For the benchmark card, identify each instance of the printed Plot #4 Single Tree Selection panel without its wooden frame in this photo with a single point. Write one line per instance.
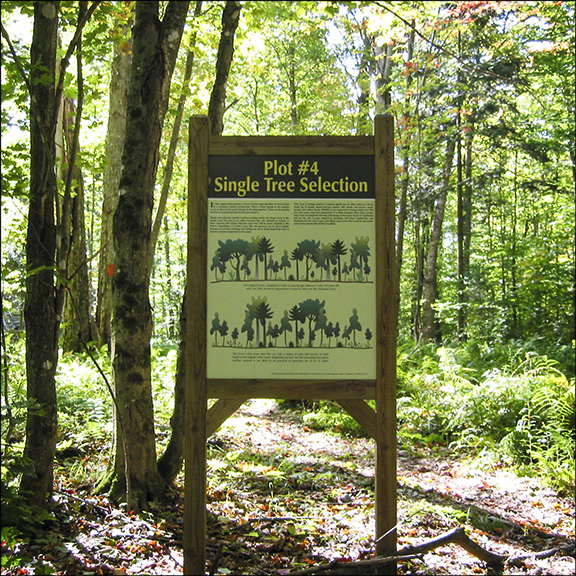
(291, 257)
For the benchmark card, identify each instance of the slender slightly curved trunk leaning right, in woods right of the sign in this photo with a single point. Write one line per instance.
(430, 327)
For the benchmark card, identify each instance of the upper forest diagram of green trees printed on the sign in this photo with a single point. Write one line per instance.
(309, 260)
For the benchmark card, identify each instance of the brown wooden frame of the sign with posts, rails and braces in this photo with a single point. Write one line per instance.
(231, 393)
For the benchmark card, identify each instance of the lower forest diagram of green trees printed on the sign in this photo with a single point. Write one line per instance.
(306, 324)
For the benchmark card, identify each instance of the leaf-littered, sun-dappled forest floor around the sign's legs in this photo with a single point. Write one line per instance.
(283, 497)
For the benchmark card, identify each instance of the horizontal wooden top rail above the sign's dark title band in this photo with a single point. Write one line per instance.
(287, 145)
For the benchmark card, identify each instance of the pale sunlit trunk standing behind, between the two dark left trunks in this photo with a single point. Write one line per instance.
(120, 76)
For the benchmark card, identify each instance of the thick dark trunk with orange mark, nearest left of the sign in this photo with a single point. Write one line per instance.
(155, 47)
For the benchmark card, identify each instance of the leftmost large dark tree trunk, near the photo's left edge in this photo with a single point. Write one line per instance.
(41, 307)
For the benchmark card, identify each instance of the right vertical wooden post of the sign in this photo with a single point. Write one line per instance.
(386, 483)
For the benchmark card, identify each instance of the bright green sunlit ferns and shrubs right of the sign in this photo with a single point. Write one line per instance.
(523, 414)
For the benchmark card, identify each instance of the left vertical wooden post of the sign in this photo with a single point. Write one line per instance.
(196, 388)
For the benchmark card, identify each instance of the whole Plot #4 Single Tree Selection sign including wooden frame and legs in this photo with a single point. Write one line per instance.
(291, 293)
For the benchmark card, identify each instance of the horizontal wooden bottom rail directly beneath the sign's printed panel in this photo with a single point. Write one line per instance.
(292, 389)
